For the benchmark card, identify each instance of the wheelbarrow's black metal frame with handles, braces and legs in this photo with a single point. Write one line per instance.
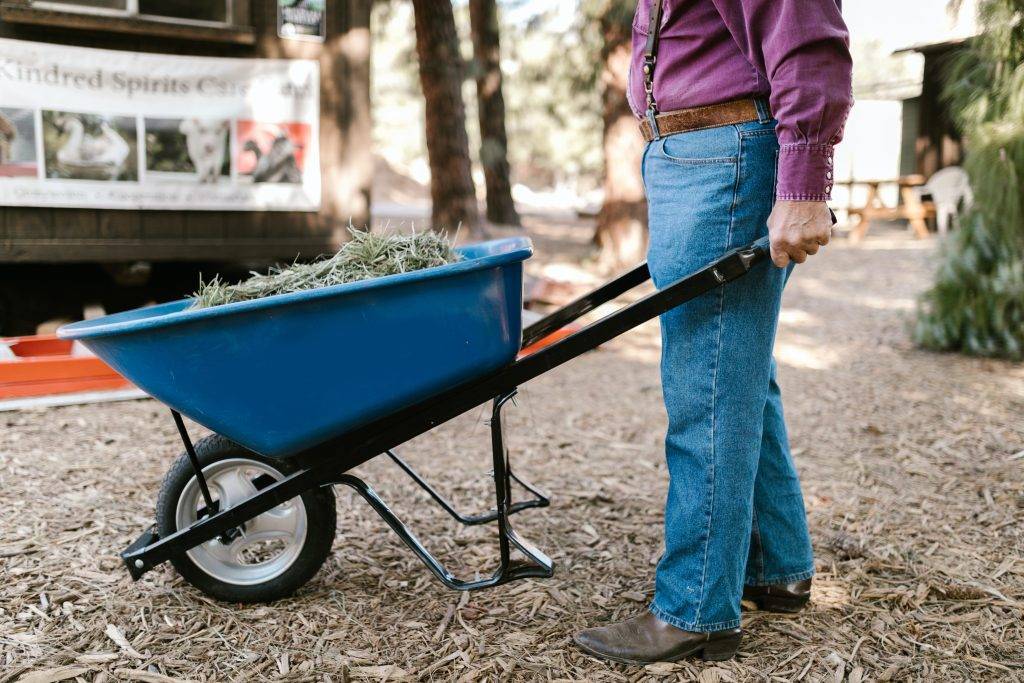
(328, 463)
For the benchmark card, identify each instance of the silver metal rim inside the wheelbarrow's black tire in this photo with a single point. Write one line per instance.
(231, 482)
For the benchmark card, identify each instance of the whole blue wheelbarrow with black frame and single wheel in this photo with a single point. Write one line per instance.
(301, 389)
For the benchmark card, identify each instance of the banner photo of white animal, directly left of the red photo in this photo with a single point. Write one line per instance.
(183, 150)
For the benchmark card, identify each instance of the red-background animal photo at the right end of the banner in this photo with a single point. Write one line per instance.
(272, 152)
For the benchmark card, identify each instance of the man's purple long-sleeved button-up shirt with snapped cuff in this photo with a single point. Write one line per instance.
(794, 53)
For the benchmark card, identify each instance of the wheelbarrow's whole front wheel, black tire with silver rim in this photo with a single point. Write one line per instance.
(269, 558)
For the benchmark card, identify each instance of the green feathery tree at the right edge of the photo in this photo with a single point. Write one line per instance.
(977, 304)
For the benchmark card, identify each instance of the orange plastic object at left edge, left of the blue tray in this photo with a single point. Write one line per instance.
(45, 366)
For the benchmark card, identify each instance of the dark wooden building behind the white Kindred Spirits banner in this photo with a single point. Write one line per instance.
(212, 28)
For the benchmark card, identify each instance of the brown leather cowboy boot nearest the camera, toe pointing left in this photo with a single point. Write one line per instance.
(646, 639)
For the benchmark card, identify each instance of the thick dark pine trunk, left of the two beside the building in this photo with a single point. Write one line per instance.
(448, 146)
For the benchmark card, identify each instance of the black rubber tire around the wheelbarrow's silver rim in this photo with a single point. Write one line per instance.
(321, 526)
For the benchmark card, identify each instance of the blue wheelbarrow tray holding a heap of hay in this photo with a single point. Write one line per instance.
(281, 374)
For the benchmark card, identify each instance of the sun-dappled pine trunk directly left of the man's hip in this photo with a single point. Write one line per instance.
(622, 224)
